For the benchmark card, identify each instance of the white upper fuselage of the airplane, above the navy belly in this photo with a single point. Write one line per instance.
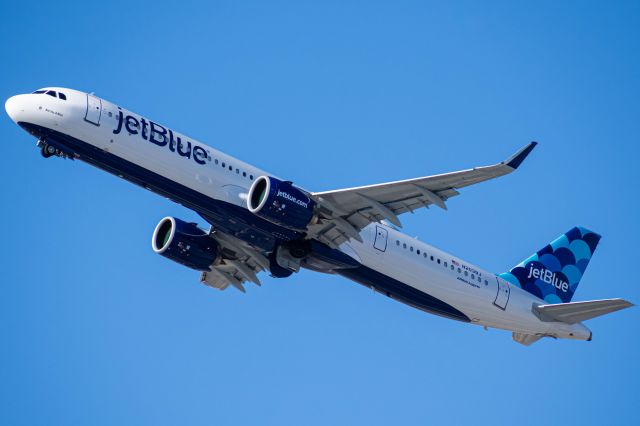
(482, 296)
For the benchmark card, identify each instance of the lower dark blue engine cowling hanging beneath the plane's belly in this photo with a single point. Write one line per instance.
(184, 243)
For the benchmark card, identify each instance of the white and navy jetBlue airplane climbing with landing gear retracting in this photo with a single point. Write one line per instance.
(259, 222)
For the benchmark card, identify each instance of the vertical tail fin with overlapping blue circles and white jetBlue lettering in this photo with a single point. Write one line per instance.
(553, 273)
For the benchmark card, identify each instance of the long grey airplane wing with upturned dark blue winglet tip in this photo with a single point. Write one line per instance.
(347, 211)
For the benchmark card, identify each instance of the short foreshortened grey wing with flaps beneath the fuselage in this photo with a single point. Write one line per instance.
(239, 264)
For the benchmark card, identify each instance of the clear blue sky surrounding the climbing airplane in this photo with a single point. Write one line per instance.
(97, 329)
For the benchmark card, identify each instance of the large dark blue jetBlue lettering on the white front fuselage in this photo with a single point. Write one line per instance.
(157, 134)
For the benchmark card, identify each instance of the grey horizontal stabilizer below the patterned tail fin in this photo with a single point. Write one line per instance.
(574, 312)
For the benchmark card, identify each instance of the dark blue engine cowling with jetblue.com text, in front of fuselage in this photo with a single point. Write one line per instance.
(280, 203)
